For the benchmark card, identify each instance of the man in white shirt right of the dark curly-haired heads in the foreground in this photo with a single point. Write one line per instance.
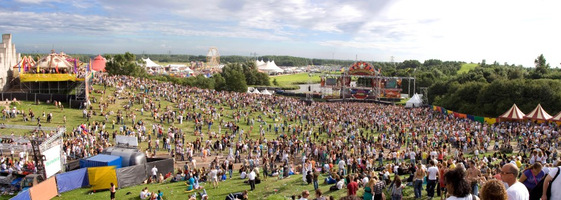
(515, 190)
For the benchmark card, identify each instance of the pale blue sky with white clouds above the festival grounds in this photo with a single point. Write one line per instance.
(511, 31)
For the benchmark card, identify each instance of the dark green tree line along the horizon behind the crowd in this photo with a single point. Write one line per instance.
(488, 90)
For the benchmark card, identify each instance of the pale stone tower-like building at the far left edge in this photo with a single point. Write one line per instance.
(8, 59)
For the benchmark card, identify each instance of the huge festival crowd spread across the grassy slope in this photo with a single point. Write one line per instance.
(357, 146)
